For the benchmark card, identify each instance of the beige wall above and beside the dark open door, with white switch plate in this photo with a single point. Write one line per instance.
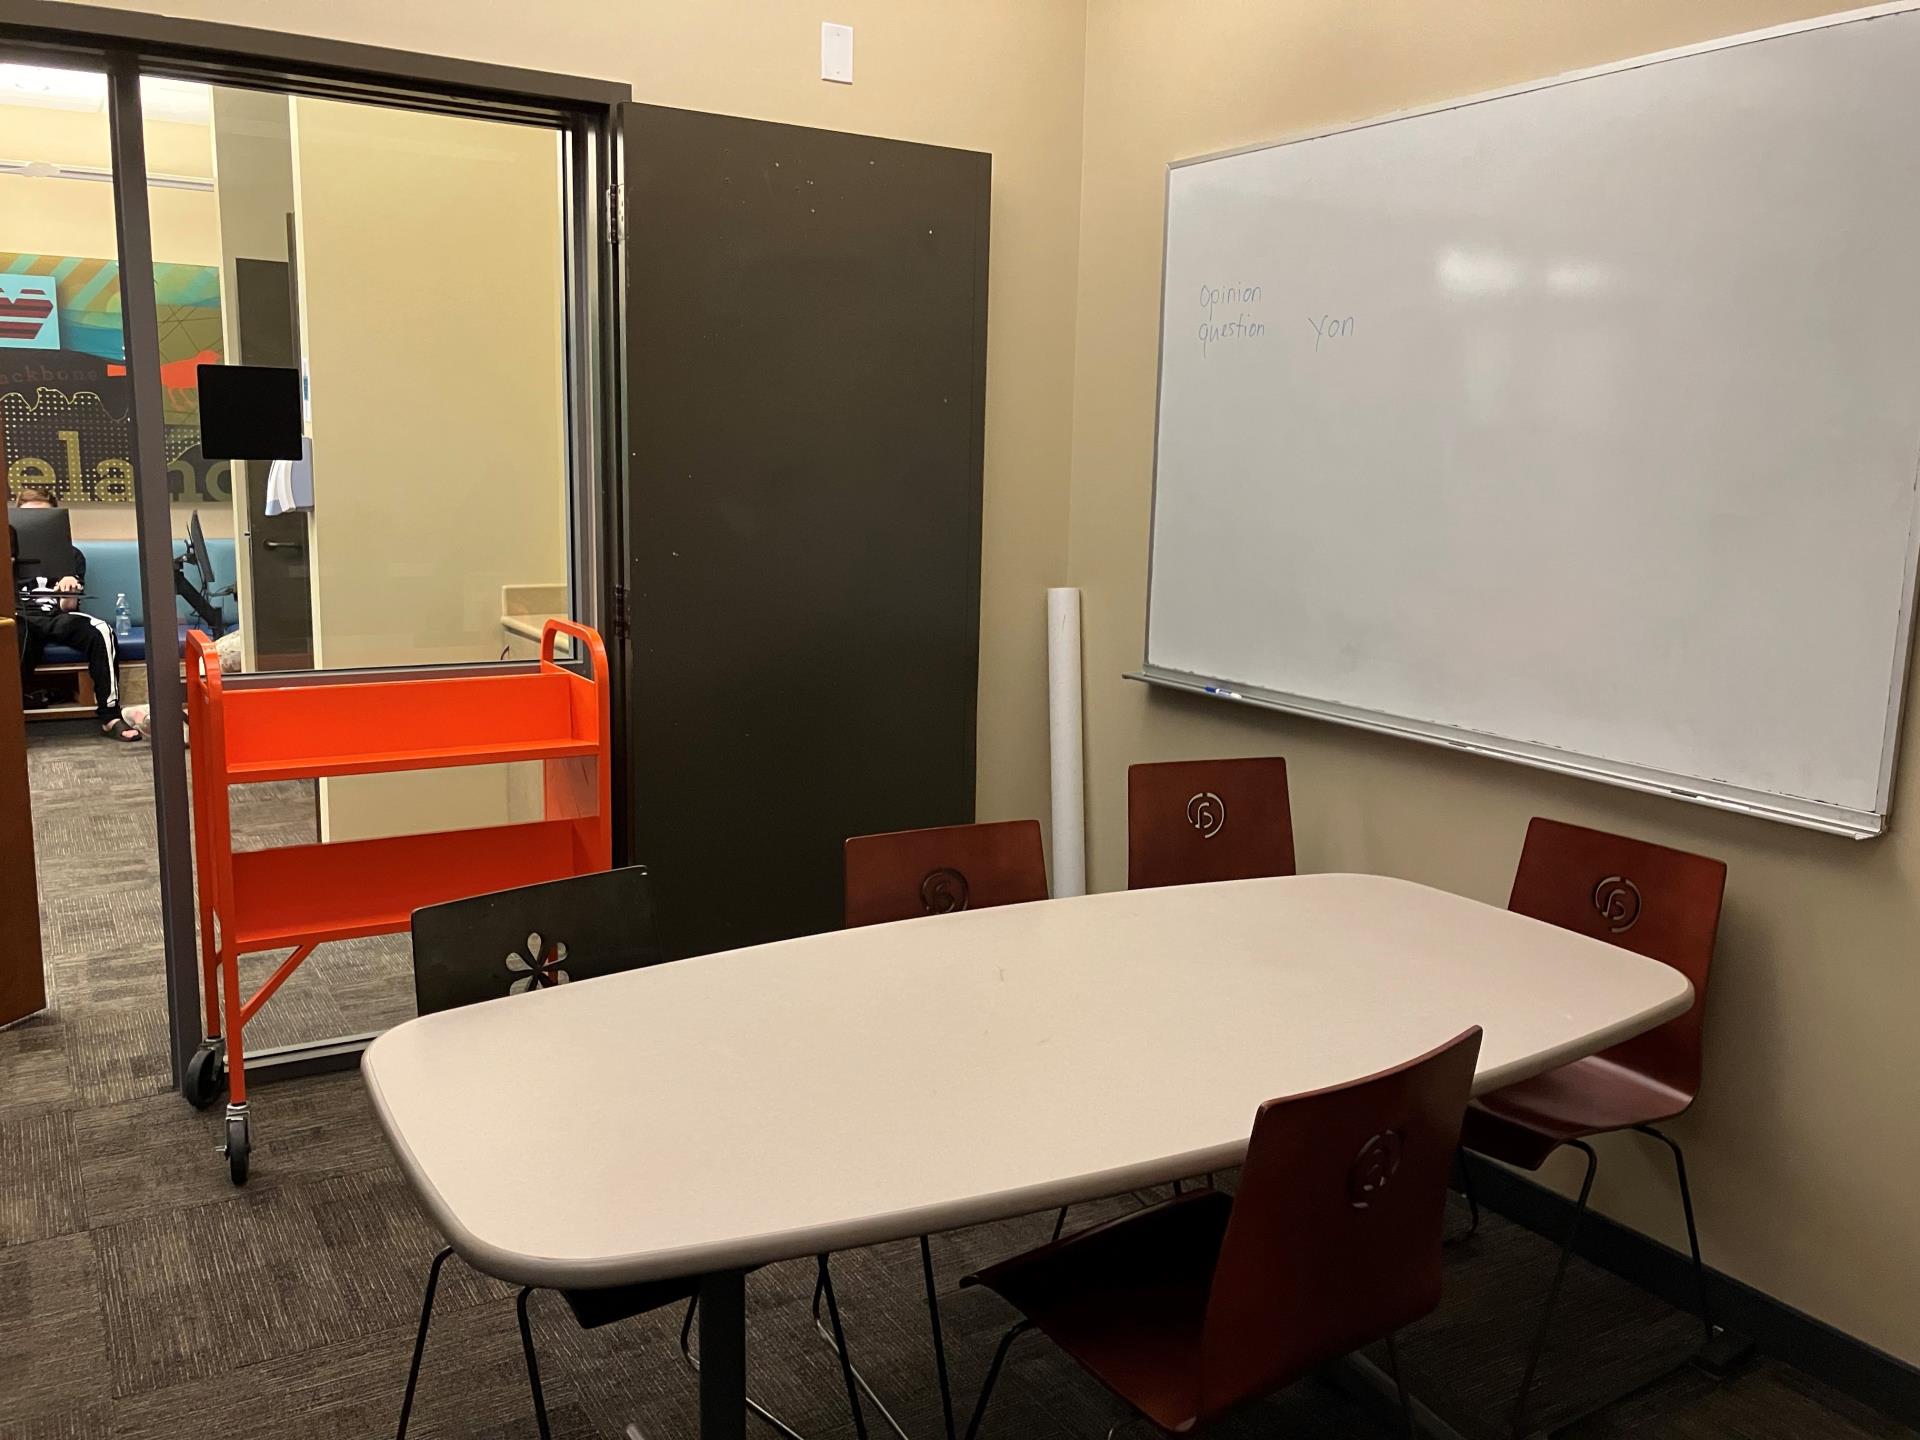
(999, 76)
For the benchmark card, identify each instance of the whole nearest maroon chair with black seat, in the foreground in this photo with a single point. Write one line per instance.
(1205, 1303)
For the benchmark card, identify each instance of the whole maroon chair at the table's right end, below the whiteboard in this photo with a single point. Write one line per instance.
(1658, 903)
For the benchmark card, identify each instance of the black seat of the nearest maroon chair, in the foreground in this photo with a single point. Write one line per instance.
(1128, 1301)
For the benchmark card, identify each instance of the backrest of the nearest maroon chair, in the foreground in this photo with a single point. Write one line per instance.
(1335, 1230)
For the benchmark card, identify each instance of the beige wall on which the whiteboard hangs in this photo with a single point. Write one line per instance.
(1804, 1149)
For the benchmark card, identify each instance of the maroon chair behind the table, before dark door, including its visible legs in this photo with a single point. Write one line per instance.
(930, 873)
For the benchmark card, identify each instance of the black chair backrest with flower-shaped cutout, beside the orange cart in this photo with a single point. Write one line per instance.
(533, 938)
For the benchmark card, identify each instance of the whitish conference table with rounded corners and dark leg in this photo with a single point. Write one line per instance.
(715, 1115)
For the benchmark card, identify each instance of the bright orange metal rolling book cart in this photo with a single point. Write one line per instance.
(304, 896)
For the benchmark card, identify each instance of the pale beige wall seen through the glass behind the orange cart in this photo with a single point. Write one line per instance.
(439, 443)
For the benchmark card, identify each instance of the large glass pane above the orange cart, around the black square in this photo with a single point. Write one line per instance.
(410, 268)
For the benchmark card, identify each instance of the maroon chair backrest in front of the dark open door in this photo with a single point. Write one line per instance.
(930, 873)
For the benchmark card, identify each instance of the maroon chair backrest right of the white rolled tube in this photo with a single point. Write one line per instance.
(1193, 821)
